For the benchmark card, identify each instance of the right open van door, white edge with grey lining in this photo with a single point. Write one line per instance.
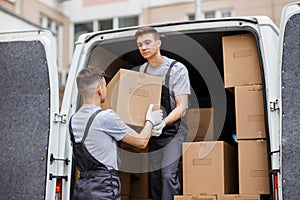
(289, 55)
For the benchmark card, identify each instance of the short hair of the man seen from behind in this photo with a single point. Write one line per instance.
(88, 79)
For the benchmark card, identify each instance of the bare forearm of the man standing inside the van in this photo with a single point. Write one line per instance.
(179, 111)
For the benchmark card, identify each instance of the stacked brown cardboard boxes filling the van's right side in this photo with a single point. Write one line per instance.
(216, 170)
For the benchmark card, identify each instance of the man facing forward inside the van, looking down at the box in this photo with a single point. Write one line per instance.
(165, 150)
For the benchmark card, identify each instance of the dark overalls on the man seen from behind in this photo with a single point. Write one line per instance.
(96, 181)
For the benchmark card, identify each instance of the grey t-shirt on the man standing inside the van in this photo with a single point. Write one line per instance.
(179, 83)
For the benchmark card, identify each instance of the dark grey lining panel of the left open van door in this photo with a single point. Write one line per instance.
(24, 120)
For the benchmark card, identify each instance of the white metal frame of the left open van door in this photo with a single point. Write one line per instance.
(46, 38)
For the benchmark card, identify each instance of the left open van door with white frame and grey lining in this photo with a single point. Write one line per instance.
(29, 101)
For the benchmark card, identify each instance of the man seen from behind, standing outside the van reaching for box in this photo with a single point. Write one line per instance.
(94, 134)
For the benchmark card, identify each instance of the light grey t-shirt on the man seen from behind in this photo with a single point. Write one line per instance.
(106, 129)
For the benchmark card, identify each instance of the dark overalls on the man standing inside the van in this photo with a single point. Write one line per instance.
(168, 146)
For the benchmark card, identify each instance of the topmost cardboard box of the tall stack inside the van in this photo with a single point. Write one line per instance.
(241, 63)
